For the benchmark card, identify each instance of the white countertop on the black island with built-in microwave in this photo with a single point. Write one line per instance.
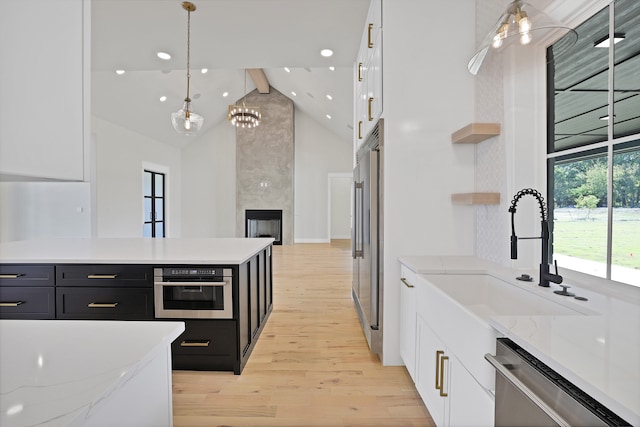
(133, 250)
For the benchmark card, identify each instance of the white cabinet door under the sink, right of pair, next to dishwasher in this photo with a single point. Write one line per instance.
(469, 404)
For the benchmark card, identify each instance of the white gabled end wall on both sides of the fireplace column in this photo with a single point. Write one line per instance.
(208, 185)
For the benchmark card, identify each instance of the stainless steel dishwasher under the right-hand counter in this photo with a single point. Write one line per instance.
(529, 393)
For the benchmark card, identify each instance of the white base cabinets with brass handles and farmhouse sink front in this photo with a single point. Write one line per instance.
(451, 393)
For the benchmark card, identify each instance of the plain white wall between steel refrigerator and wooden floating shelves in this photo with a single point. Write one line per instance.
(428, 94)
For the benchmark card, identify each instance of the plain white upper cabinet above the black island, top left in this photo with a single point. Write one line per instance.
(42, 80)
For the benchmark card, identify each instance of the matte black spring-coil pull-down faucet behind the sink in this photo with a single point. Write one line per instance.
(545, 275)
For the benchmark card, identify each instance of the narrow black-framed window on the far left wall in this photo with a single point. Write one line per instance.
(154, 207)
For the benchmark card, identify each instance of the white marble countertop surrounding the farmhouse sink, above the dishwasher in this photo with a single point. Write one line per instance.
(598, 351)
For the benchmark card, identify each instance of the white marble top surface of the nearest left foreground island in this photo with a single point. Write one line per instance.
(54, 372)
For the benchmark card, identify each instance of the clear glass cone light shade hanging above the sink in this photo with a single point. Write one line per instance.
(520, 24)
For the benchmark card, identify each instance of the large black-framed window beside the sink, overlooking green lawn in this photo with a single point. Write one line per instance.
(594, 145)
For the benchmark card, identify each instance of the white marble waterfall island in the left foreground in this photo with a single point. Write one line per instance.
(82, 373)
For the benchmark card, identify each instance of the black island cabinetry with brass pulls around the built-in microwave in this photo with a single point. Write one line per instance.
(113, 291)
